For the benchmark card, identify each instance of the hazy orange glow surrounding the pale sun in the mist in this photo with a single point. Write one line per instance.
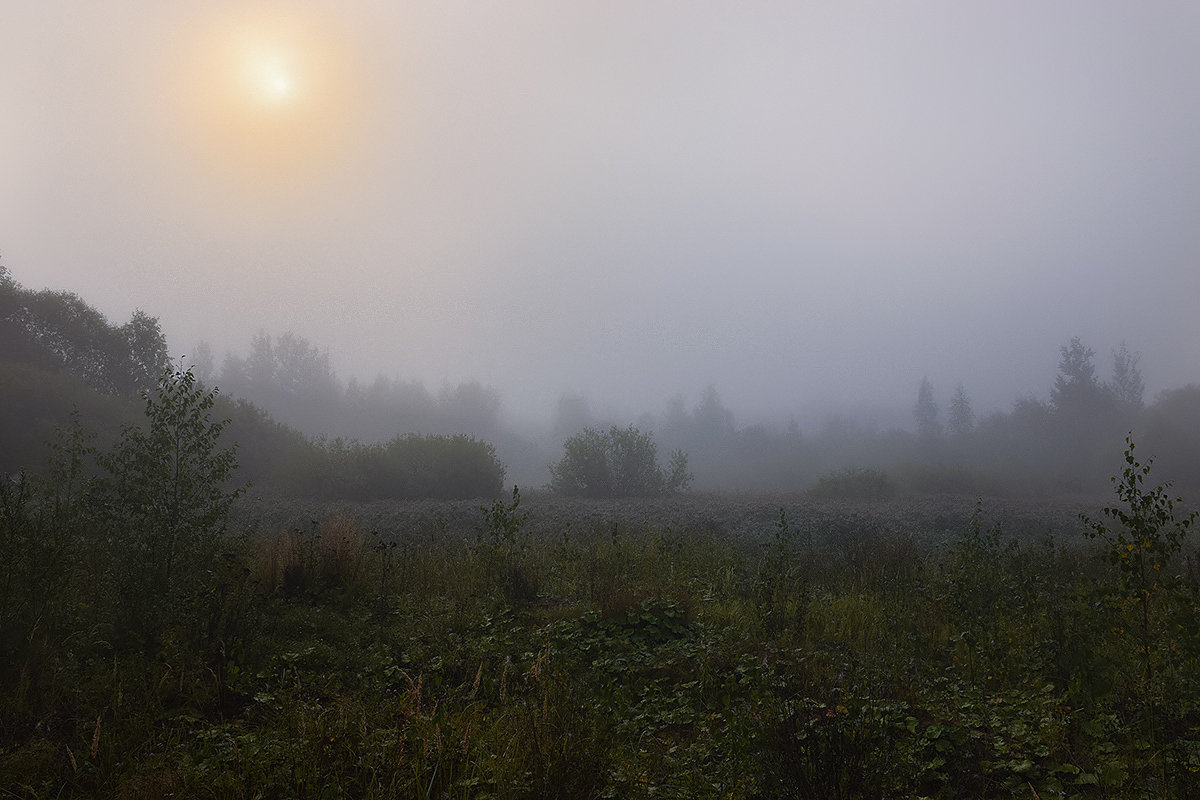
(272, 104)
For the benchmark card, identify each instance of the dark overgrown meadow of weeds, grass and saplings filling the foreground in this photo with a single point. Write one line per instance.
(535, 647)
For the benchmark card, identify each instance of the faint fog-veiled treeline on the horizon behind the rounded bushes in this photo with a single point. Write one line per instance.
(1064, 443)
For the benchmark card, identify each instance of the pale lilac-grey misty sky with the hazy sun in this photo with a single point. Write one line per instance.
(807, 204)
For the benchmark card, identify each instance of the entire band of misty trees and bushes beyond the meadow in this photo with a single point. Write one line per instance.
(302, 430)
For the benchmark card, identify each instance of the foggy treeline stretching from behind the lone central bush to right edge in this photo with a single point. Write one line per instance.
(1066, 443)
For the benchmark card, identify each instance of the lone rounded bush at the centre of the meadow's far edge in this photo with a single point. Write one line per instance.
(621, 462)
